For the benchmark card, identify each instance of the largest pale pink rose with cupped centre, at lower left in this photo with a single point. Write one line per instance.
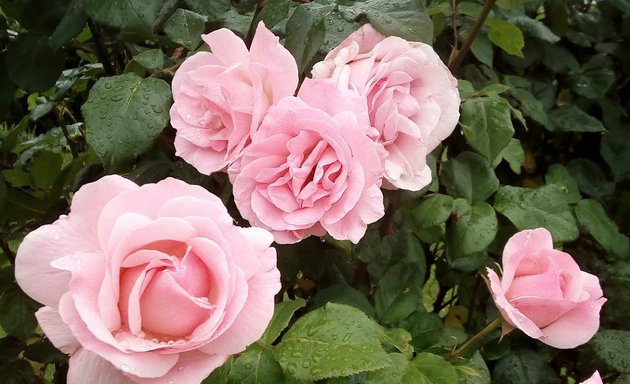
(150, 284)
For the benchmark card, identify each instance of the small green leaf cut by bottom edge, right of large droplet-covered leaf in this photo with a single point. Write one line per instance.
(428, 368)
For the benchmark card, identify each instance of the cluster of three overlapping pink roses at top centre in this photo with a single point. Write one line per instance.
(314, 163)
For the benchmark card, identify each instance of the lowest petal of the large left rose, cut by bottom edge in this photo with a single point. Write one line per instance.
(88, 367)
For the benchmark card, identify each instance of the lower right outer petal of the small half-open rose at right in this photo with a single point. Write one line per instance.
(575, 327)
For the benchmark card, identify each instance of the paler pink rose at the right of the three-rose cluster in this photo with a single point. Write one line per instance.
(412, 98)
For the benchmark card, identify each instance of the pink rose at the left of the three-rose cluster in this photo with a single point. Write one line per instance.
(220, 98)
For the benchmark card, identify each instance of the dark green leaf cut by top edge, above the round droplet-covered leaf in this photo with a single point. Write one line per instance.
(131, 15)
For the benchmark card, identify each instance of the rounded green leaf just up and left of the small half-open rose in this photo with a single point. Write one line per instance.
(472, 228)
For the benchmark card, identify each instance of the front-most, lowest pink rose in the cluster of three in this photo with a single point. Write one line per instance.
(311, 168)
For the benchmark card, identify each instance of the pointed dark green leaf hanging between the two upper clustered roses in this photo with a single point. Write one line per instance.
(305, 32)
